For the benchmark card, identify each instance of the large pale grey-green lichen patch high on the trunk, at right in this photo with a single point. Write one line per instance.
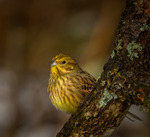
(131, 47)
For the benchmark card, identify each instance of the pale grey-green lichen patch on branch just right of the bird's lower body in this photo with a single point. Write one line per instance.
(107, 96)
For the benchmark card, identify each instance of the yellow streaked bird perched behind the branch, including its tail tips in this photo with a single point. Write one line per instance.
(69, 84)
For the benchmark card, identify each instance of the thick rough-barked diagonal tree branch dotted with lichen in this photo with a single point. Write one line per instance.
(124, 81)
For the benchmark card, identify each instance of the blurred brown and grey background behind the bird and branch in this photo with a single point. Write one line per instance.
(34, 31)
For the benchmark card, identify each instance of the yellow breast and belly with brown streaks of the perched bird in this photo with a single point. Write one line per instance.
(61, 97)
